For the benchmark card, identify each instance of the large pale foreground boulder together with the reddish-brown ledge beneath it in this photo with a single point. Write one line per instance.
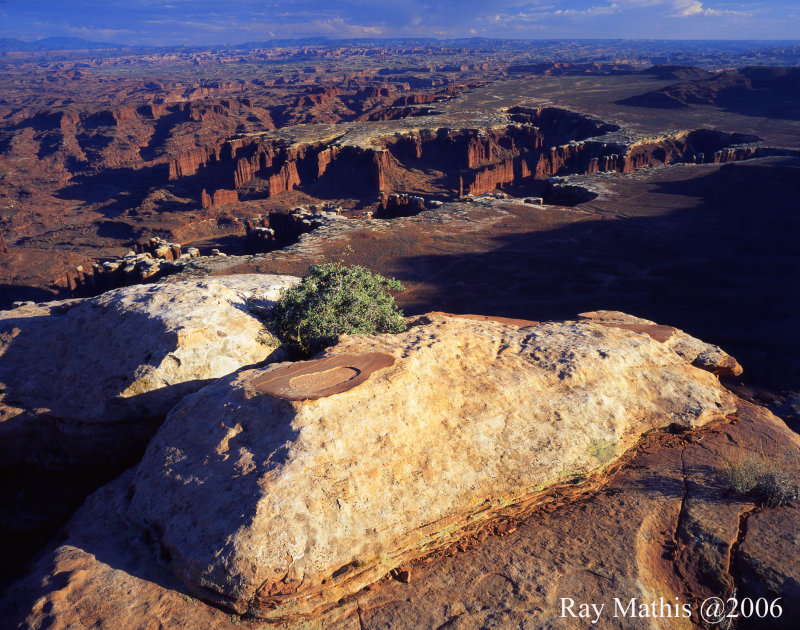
(451, 432)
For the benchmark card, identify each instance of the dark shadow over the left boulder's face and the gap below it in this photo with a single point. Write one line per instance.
(66, 431)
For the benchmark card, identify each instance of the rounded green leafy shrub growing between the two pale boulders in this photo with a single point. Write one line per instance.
(331, 300)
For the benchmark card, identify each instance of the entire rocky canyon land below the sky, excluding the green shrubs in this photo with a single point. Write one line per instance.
(618, 236)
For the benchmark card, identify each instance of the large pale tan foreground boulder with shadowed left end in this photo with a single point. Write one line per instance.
(282, 506)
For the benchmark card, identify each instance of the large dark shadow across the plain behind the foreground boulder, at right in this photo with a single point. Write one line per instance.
(724, 269)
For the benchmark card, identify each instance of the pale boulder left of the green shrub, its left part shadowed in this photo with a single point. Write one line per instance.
(77, 375)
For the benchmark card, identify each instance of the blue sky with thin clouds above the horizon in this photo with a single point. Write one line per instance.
(233, 21)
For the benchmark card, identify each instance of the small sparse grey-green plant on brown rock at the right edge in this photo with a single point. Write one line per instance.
(755, 476)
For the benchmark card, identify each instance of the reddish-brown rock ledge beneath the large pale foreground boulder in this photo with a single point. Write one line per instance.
(651, 528)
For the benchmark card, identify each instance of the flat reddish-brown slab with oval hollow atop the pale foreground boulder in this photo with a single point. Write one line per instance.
(318, 378)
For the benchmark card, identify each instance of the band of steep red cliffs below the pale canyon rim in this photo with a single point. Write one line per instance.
(539, 143)
